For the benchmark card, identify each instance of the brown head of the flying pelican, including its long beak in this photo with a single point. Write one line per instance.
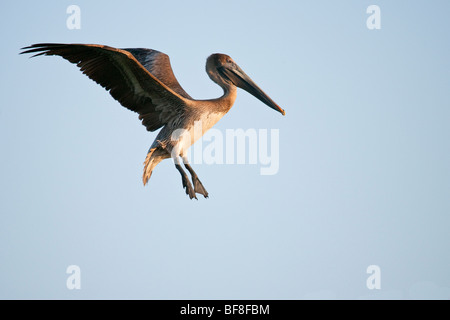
(225, 72)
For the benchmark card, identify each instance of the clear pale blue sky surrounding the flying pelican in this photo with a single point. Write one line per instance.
(364, 174)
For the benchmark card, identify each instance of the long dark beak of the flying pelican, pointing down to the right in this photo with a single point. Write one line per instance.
(238, 77)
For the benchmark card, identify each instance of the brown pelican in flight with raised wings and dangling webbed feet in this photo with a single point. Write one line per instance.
(142, 80)
